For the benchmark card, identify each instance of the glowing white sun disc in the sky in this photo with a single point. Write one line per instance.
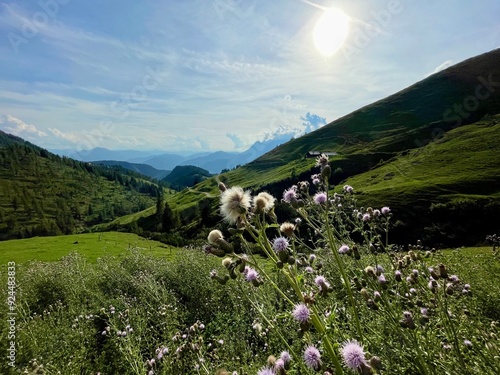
(331, 31)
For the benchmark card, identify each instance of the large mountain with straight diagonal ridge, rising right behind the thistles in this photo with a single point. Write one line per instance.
(387, 131)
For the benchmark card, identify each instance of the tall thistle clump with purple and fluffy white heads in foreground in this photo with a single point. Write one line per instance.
(360, 304)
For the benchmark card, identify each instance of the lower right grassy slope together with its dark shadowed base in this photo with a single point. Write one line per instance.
(449, 189)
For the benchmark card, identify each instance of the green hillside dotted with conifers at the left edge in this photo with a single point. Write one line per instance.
(44, 194)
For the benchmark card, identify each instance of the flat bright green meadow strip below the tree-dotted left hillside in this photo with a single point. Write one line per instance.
(90, 245)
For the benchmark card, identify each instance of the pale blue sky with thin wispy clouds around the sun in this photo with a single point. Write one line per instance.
(206, 75)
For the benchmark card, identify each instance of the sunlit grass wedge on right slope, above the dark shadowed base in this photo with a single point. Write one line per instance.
(466, 160)
